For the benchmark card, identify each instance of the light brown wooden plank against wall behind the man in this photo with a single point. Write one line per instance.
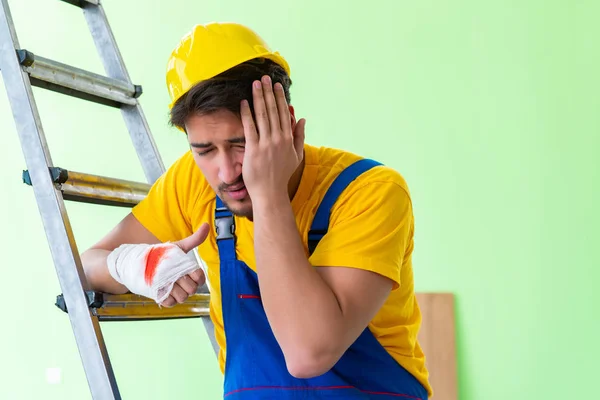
(438, 340)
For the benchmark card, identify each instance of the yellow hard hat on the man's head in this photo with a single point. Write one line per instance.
(207, 50)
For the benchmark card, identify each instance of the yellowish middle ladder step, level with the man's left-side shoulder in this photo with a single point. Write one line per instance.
(95, 189)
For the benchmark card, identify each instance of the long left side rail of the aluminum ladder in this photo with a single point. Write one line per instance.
(86, 329)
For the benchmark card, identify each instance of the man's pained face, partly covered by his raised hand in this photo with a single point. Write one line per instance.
(217, 142)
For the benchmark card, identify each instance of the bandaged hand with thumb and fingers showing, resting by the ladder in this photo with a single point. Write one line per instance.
(168, 273)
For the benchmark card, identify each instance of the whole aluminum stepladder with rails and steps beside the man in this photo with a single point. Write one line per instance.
(52, 186)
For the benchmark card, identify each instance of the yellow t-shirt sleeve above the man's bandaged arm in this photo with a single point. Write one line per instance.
(166, 210)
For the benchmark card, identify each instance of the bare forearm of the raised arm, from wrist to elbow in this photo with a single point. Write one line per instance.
(301, 308)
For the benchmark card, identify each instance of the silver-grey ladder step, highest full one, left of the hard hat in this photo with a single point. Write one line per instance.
(76, 82)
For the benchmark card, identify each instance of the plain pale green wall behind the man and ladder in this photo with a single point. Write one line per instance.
(489, 109)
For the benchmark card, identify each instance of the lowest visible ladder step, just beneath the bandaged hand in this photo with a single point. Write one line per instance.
(132, 307)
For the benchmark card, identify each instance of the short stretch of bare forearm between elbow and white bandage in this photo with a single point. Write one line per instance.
(96, 272)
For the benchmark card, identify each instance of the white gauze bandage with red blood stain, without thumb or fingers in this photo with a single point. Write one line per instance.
(150, 270)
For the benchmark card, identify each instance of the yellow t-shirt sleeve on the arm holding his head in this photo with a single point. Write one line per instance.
(370, 228)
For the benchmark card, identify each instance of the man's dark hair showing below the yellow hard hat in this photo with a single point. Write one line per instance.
(227, 90)
